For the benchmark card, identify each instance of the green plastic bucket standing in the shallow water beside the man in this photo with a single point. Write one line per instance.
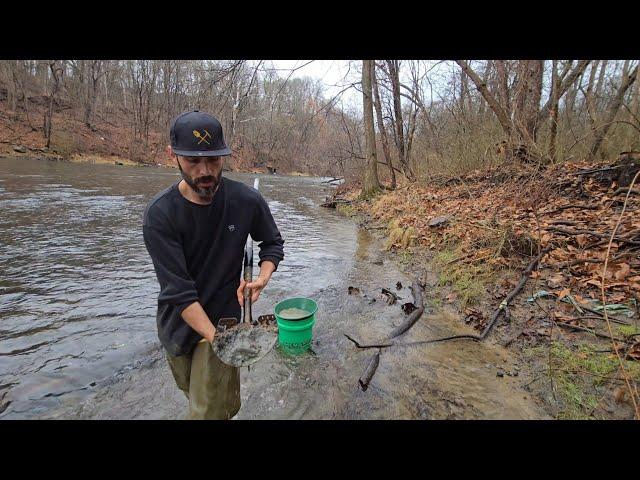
(294, 335)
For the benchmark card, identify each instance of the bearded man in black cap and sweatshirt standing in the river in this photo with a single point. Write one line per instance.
(195, 232)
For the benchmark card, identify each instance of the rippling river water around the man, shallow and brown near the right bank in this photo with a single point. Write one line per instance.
(77, 312)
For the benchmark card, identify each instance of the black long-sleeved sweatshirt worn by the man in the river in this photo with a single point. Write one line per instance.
(197, 253)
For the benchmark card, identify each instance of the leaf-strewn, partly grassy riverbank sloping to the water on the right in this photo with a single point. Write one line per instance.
(478, 233)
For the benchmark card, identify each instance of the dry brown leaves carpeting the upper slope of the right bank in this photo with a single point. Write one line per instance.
(576, 216)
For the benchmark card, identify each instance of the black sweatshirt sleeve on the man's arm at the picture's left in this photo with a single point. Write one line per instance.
(177, 288)
